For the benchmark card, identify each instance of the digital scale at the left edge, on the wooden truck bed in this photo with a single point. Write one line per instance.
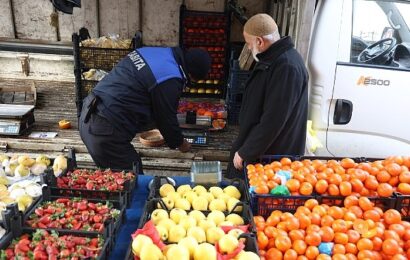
(15, 119)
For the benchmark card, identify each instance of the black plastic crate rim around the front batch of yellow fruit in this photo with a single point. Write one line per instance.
(245, 213)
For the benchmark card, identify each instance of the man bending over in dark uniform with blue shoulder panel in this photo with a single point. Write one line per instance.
(145, 85)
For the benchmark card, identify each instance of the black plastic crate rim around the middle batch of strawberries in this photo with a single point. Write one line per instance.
(111, 226)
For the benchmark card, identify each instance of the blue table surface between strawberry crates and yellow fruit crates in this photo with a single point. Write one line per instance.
(133, 214)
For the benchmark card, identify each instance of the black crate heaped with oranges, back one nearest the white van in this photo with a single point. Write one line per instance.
(327, 179)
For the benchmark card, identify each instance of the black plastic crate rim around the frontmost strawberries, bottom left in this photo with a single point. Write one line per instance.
(9, 238)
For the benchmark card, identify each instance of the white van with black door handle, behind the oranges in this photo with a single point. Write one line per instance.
(359, 65)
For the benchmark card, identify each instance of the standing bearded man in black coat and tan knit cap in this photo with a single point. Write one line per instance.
(273, 114)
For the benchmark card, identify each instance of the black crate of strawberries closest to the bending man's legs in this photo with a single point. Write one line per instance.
(107, 184)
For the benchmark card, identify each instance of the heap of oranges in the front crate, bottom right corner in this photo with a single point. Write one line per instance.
(357, 229)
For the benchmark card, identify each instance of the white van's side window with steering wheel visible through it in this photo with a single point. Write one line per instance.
(380, 33)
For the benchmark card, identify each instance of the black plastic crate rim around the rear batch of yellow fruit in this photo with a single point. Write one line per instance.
(158, 181)
